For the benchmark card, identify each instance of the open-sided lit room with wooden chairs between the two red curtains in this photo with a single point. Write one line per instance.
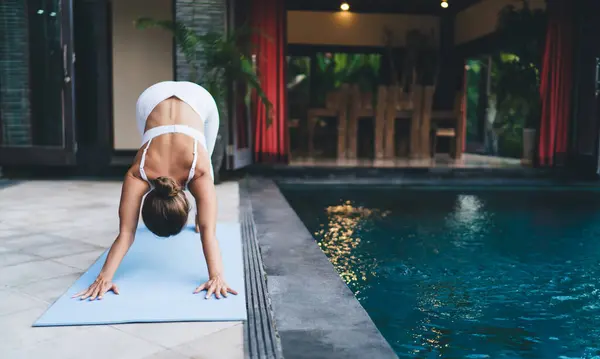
(407, 84)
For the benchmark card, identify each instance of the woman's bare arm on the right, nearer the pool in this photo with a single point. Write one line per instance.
(203, 190)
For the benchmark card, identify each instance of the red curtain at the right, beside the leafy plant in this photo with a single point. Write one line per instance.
(556, 82)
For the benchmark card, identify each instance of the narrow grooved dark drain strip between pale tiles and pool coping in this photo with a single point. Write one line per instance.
(260, 335)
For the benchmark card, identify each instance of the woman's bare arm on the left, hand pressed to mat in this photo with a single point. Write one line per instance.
(132, 192)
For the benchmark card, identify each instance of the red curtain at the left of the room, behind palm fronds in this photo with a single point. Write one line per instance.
(271, 141)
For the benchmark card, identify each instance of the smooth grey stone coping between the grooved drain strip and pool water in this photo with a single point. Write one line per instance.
(316, 314)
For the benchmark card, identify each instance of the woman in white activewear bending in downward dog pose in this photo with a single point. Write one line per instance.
(179, 122)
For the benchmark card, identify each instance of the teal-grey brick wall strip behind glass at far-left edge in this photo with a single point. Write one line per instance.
(15, 108)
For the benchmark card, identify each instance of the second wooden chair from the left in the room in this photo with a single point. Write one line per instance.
(361, 106)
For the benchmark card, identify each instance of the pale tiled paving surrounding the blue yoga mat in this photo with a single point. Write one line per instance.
(50, 233)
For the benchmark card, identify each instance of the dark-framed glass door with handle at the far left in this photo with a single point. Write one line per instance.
(36, 83)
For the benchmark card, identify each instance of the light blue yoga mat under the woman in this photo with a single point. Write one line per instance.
(156, 281)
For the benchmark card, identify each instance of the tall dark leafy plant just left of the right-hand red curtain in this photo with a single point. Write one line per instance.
(522, 31)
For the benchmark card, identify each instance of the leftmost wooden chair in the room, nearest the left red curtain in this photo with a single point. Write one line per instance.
(336, 104)
